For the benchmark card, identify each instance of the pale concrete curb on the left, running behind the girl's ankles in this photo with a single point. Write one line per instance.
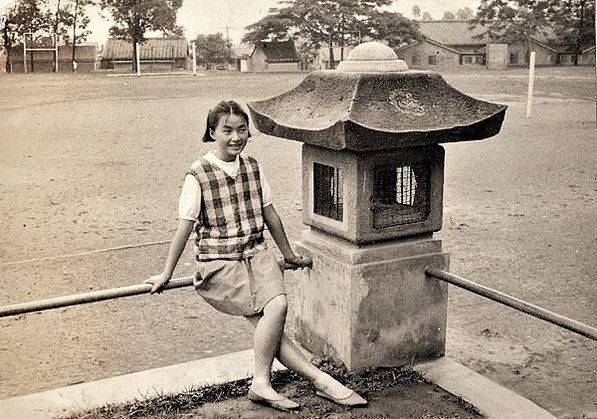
(172, 379)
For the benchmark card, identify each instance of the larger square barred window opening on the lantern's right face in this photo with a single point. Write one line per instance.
(401, 194)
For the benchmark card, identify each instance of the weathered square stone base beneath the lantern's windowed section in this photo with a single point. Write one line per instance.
(372, 305)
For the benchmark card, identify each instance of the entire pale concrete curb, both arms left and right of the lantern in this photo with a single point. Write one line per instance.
(492, 400)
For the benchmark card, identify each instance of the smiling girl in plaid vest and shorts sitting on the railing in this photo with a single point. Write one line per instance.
(227, 201)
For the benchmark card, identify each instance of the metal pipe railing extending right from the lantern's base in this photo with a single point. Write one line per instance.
(530, 309)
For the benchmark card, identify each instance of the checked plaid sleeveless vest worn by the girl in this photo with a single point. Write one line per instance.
(230, 225)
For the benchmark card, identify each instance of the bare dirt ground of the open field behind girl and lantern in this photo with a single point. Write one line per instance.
(94, 162)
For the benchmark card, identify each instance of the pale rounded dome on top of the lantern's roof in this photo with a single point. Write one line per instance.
(372, 57)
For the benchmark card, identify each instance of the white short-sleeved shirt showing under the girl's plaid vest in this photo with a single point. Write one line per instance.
(189, 205)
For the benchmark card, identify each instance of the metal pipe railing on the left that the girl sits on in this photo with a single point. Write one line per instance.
(109, 294)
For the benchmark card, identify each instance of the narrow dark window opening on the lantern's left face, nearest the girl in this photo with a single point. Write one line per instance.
(328, 199)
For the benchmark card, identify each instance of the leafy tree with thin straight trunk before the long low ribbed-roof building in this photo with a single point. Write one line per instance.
(133, 18)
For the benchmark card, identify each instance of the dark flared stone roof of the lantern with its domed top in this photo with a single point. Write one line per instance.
(364, 110)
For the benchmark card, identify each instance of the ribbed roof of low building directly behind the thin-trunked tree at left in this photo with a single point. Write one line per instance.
(151, 49)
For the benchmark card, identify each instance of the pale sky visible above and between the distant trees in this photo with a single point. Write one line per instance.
(211, 16)
